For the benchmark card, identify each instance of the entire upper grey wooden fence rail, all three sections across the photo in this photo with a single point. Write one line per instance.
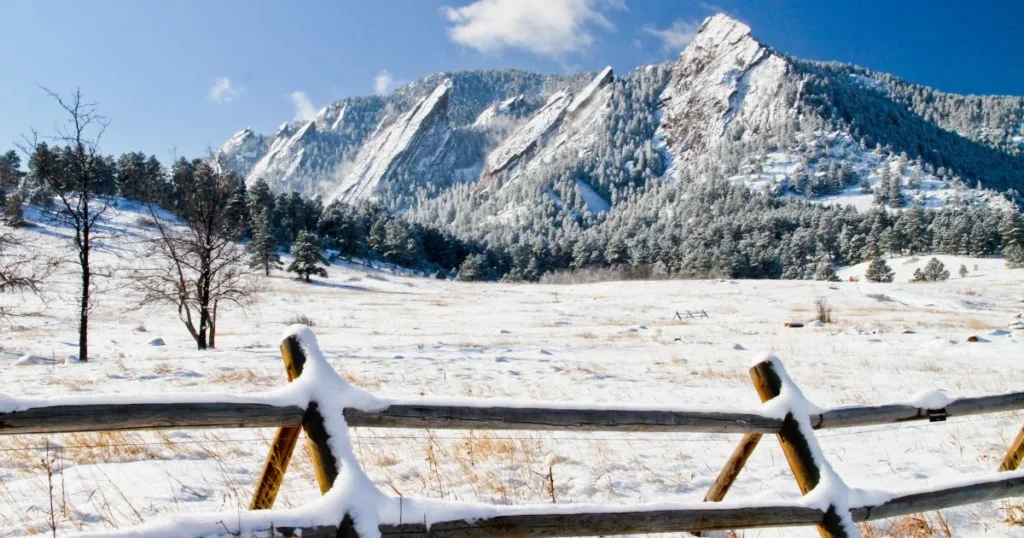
(105, 418)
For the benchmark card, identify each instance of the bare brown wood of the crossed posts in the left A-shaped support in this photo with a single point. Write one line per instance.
(287, 438)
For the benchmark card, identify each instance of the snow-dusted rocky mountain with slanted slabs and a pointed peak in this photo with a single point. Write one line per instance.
(480, 147)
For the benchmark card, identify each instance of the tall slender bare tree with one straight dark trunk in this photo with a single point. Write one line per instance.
(73, 177)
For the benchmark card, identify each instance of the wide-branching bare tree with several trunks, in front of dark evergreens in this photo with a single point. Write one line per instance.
(198, 266)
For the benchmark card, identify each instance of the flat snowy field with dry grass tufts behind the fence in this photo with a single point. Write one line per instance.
(611, 343)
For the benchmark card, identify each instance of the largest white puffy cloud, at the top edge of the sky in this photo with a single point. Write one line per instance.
(551, 28)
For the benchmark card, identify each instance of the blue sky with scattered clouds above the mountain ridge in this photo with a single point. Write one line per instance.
(177, 77)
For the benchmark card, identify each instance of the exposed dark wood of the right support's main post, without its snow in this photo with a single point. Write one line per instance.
(796, 447)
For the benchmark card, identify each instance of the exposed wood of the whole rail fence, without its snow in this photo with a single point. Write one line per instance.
(795, 433)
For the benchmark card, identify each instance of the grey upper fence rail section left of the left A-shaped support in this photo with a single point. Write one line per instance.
(147, 417)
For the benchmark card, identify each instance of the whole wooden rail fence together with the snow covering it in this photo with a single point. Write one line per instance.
(319, 402)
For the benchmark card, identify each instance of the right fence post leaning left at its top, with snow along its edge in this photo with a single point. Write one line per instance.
(767, 377)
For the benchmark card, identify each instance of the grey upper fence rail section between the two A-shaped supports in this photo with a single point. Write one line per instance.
(455, 418)
